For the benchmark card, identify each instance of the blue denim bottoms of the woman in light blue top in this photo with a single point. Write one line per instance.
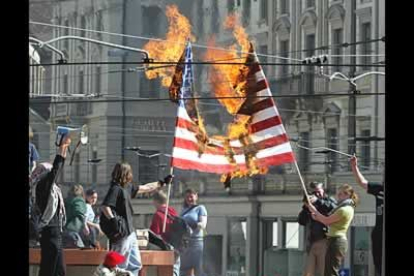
(192, 258)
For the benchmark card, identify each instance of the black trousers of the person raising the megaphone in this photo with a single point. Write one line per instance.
(51, 263)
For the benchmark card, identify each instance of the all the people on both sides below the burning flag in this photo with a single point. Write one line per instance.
(76, 222)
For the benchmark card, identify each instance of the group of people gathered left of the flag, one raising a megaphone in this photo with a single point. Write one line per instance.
(73, 222)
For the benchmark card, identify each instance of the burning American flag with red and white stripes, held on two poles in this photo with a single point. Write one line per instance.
(256, 139)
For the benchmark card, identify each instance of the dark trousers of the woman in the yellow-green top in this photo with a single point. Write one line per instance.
(335, 254)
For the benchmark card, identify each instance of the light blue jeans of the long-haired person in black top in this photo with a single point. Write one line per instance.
(128, 247)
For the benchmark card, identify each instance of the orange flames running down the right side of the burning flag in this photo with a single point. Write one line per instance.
(230, 80)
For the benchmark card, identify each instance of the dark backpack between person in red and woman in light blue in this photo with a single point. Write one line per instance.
(179, 230)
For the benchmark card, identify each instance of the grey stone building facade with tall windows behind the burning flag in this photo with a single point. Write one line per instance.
(255, 227)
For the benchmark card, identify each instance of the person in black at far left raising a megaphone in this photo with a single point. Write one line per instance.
(49, 202)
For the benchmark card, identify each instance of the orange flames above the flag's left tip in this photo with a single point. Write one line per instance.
(170, 49)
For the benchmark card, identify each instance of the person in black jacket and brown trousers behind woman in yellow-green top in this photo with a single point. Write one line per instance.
(316, 231)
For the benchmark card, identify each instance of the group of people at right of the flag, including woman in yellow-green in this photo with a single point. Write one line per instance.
(327, 221)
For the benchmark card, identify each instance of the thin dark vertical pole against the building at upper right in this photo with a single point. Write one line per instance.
(352, 87)
